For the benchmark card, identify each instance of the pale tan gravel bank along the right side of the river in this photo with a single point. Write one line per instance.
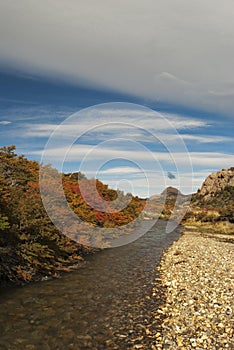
(198, 272)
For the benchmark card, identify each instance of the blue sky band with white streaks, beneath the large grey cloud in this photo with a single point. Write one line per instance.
(31, 108)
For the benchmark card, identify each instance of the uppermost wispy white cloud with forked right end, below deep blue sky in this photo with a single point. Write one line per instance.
(134, 124)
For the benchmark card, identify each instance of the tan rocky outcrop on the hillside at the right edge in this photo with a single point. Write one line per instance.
(216, 182)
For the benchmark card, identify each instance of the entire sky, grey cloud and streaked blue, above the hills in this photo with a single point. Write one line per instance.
(138, 90)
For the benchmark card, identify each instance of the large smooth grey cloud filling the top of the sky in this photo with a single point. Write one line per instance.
(176, 51)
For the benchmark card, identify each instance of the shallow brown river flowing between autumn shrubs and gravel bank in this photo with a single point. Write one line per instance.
(106, 304)
